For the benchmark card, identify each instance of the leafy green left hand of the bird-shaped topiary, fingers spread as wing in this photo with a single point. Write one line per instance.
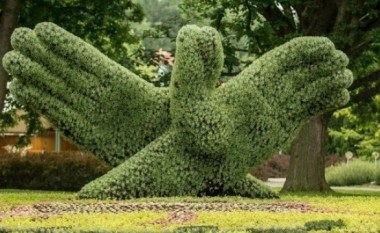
(97, 103)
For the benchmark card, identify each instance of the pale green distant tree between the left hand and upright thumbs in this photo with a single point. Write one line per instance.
(157, 31)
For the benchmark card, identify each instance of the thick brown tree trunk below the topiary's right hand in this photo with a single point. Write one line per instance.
(307, 163)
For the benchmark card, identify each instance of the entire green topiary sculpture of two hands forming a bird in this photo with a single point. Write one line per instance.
(191, 138)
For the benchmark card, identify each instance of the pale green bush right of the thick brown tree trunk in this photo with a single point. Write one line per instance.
(357, 172)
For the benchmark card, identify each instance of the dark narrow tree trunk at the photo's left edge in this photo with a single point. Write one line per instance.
(8, 22)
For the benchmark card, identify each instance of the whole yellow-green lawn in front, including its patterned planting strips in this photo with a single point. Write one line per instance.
(38, 211)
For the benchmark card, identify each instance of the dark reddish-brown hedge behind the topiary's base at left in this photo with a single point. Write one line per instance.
(54, 171)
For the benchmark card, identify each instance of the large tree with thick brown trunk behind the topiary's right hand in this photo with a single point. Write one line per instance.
(250, 28)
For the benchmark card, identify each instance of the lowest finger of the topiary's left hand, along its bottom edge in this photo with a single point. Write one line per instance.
(74, 125)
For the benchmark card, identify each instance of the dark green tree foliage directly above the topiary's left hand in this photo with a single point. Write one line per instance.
(106, 25)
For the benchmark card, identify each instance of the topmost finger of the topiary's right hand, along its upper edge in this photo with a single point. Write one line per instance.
(299, 52)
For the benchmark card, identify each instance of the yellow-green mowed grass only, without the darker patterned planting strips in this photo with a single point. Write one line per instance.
(359, 210)
